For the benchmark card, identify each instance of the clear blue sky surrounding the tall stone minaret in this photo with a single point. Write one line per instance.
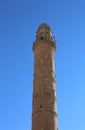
(19, 20)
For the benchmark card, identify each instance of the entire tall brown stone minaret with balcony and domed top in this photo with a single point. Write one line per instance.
(44, 115)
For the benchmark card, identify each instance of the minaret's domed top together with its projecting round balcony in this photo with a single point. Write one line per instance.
(44, 36)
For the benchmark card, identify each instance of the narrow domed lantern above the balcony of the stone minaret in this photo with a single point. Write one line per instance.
(44, 32)
